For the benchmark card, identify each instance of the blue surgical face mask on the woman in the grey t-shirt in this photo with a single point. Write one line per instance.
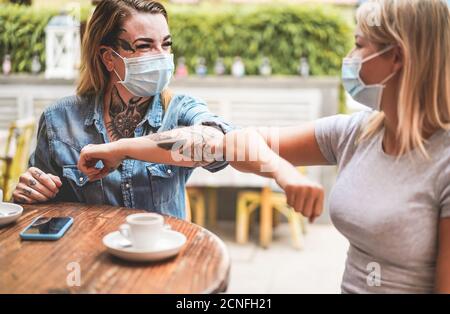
(369, 95)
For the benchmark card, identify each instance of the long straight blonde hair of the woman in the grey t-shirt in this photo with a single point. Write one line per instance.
(422, 31)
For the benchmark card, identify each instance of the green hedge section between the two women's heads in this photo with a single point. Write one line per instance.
(283, 34)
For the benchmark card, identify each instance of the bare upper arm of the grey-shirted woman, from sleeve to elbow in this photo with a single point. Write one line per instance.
(296, 144)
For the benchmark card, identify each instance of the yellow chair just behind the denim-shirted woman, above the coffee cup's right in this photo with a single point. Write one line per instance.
(203, 201)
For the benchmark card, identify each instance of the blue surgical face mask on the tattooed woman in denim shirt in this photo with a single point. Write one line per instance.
(147, 75)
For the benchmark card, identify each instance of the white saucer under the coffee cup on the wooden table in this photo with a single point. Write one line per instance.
(168, 245)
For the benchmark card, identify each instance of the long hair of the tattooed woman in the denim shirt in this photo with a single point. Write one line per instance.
(104, 28)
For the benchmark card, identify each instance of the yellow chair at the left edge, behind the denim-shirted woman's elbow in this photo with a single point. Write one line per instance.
(15, 158)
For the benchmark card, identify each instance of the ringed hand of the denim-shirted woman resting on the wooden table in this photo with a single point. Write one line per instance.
(35, 186)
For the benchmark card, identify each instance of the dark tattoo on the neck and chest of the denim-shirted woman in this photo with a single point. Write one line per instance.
(125, 117)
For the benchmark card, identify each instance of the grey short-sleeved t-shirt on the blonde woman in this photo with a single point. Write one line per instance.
(388, 209)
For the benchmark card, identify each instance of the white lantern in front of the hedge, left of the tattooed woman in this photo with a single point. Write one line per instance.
(62, 47)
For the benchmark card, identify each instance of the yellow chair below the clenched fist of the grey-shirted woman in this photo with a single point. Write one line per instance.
(270, 204)
